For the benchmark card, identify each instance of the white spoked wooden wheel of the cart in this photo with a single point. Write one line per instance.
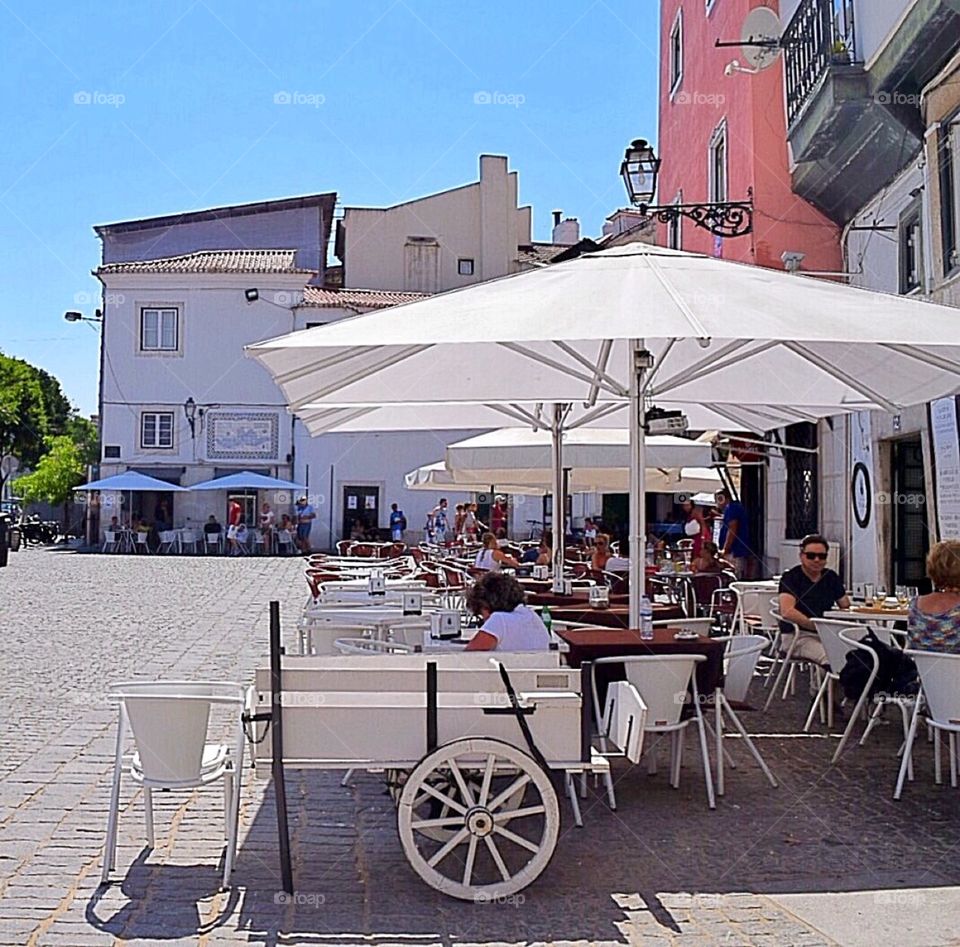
(496, 837)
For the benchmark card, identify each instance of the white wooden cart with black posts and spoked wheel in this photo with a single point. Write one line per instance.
(472, 749)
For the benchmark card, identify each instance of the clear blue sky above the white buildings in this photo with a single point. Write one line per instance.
(182, 116)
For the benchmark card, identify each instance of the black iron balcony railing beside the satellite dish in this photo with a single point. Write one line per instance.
(820, 34)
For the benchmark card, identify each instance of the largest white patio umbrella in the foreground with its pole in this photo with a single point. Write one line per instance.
(640, 325)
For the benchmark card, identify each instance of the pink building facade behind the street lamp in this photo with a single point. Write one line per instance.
(722, 136)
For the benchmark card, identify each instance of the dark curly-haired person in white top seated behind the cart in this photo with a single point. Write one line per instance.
(508, 624)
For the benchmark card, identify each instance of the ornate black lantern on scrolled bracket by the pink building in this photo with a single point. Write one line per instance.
(639, 171)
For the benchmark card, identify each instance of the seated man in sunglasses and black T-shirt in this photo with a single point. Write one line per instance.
(806, 592)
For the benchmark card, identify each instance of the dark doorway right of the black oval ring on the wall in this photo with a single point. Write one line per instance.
(911, 542)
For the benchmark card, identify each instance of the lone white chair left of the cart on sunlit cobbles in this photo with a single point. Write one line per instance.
(169, 721)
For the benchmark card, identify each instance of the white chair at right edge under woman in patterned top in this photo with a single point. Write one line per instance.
(939, 698)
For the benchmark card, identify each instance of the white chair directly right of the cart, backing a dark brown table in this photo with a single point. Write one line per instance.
(663, 681)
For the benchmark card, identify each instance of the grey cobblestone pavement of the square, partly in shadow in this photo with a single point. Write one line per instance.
(769, 866)
